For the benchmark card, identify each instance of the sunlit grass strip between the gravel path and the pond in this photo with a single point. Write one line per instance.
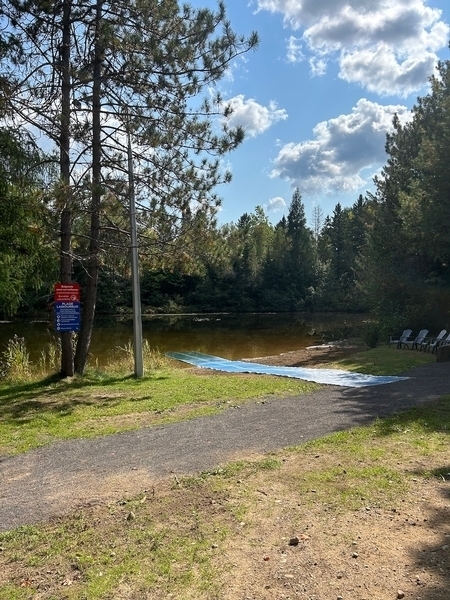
(36, 413)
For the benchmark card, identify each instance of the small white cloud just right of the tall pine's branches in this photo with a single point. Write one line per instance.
(253, 117)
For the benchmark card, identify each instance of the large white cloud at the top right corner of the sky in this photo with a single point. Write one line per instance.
(387, 46)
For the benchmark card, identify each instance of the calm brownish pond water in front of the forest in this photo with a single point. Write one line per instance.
(228, 335)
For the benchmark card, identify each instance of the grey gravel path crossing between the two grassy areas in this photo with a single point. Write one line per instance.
(53, 480)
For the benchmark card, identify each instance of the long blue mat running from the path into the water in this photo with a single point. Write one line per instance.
(329, 376)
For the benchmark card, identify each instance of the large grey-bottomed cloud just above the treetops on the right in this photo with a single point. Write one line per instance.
(342, 148)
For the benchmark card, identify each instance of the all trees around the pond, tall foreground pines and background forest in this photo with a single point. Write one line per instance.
(103, 82)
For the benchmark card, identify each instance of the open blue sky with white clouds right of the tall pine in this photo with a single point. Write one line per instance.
(318, 95)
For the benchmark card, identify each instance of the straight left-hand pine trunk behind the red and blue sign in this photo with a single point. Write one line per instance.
(67, 365)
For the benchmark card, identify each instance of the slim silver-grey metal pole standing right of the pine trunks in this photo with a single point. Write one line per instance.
(137, 316)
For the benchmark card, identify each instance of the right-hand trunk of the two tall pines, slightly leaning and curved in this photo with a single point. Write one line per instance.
(90, 296)
